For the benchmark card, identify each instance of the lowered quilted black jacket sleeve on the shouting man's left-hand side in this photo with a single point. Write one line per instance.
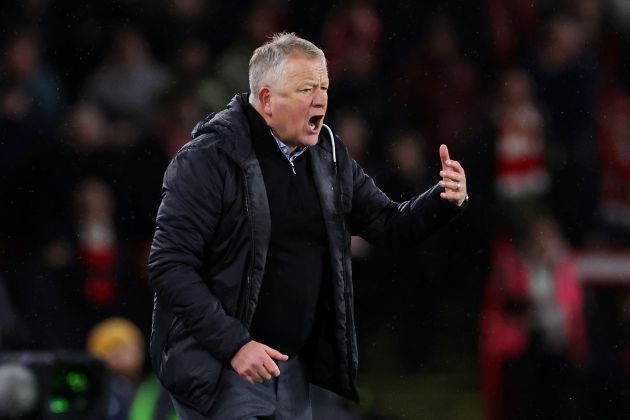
(186, 221)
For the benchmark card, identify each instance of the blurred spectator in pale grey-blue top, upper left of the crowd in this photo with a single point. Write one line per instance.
(128, 83)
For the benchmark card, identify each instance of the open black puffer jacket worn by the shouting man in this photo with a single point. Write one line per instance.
(209, 251)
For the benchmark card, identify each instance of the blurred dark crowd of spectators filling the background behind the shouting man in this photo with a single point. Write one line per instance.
(531, 96)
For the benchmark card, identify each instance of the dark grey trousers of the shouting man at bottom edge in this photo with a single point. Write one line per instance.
(283, 398)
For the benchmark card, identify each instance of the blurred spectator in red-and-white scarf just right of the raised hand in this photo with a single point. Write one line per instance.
(507, 157)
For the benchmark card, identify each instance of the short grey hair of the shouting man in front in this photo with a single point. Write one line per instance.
(267, 65)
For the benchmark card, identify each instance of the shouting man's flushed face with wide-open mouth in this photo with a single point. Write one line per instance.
(297, 104)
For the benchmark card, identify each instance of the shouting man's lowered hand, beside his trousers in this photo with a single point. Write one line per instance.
(254, 362)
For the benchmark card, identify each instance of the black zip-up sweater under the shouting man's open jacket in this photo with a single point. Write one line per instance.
(298, 248)
